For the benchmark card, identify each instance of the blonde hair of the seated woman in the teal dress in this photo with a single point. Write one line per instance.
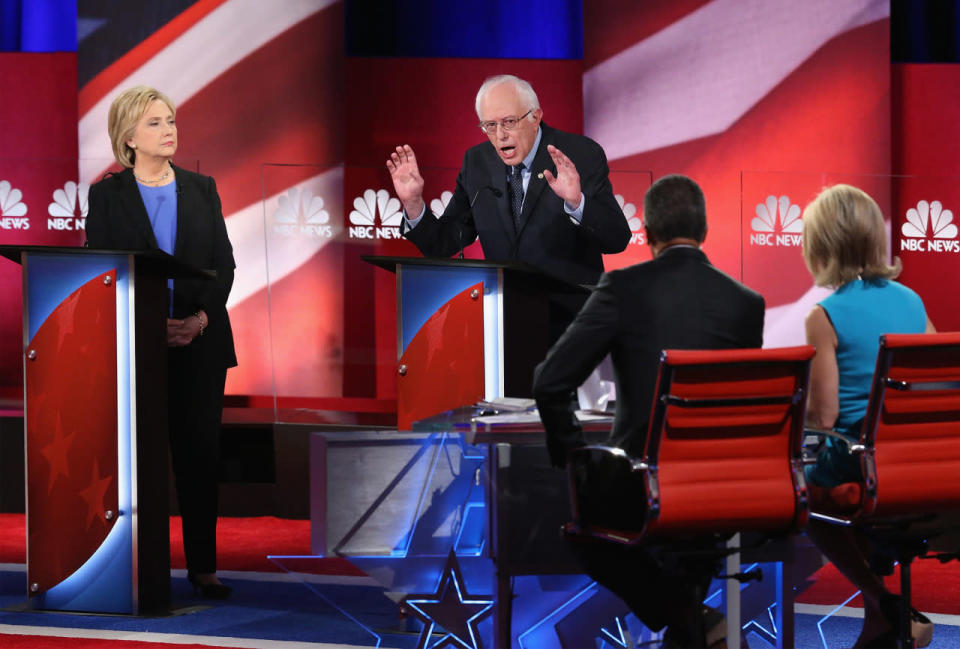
(844, 238)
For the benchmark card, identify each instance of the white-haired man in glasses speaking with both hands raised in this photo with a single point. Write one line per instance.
(502, 193)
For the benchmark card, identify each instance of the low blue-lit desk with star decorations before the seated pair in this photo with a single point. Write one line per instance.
(425, 493)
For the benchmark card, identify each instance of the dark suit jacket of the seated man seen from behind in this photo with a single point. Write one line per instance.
(676, 301)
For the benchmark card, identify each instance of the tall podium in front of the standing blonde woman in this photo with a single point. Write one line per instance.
(95, 420)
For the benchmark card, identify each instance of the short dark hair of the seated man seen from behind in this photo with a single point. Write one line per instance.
(673, 208)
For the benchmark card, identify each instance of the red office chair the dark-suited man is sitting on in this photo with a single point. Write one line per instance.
(723, 455)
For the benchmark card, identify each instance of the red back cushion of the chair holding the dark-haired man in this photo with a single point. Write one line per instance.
(725, 441)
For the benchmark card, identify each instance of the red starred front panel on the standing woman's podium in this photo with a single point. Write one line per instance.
(71, 422)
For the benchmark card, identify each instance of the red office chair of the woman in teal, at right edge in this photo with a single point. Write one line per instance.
(910, 450)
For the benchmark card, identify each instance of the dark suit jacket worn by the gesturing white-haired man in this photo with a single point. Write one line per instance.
(547, 238)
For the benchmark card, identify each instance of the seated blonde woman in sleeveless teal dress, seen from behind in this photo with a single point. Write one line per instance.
(845, 246)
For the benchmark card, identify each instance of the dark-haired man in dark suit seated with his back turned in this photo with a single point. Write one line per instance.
(678, 300)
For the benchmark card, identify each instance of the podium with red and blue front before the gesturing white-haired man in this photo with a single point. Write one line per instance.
(469, 330)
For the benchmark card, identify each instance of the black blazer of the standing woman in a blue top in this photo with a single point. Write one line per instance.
(117, 220)
